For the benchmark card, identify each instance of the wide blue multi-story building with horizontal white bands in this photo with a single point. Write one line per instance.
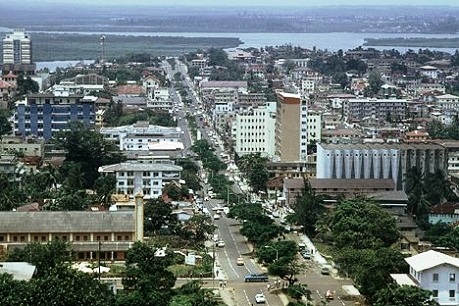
(44, 114)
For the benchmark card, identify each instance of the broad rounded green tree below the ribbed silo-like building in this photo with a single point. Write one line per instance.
(360, 223)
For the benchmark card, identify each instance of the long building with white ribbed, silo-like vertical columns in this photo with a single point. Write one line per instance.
(378, 161)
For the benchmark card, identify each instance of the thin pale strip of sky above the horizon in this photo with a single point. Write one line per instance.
(298, 3)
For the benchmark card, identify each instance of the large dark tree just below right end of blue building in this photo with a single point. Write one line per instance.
(89, 149)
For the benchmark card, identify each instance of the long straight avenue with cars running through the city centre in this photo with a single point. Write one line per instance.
(237, 291)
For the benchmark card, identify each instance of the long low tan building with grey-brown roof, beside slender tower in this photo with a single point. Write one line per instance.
(92, 235)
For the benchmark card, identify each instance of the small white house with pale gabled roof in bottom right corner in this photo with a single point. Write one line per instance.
(433, 271)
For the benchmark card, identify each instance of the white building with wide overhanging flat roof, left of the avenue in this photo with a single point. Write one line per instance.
(134, 175)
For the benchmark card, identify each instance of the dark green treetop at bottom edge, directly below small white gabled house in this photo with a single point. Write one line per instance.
(404, 296)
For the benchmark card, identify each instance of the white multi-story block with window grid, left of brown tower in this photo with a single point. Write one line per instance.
(253, 132)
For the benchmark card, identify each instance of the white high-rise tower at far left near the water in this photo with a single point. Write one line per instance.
(17, 53)
